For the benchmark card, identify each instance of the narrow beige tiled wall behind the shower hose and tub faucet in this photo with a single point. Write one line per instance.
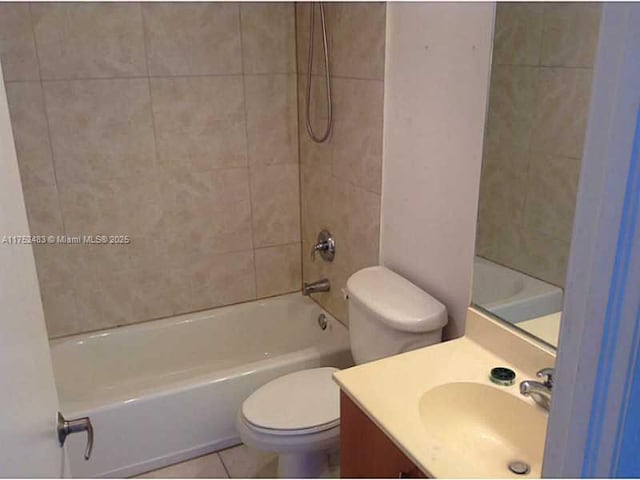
(340, 179)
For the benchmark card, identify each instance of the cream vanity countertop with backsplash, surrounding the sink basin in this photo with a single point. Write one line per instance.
(388, 390)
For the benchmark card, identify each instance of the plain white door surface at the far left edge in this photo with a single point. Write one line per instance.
(29, 401)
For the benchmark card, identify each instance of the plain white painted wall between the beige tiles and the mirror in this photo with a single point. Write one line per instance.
(438, 58)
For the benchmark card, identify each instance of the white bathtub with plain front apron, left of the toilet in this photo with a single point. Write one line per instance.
(164, 391)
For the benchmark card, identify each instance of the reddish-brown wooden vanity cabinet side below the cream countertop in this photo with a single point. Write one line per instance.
(366, 452)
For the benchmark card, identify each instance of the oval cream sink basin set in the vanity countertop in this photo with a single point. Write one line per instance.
(485, 427)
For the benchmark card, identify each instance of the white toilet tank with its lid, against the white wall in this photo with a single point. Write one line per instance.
(389, 315)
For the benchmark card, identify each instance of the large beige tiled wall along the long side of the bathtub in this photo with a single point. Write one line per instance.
(173, 123)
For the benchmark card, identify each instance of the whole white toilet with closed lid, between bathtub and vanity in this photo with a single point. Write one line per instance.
(298, 415)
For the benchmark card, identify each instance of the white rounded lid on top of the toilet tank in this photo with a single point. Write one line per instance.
(398, 302)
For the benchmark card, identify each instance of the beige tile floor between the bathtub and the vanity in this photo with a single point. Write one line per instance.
(235, 462)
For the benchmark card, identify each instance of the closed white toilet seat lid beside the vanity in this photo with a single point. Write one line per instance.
(302, 400)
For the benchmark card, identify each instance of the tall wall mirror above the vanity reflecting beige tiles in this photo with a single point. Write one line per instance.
(543, 55)
